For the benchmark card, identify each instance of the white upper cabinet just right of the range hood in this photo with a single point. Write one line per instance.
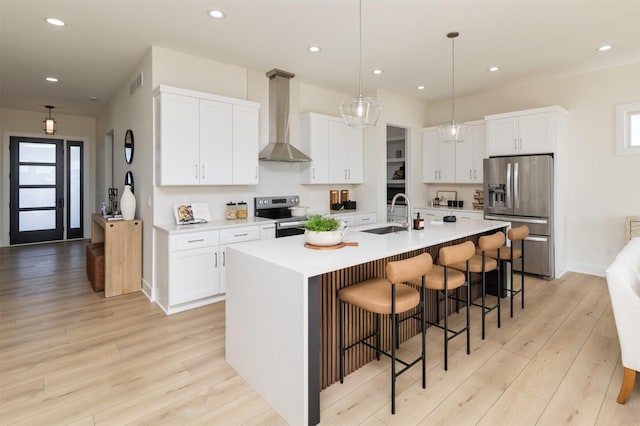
(335, 150)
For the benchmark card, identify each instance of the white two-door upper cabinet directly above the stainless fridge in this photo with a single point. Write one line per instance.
(533, 131)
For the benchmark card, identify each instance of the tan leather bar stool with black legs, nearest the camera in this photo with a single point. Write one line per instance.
(388, 296)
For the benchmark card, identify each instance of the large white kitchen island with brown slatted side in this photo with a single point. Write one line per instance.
(280, 306)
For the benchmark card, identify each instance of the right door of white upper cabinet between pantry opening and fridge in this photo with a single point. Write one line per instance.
(470, 153)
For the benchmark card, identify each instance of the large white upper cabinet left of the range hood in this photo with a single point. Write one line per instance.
(204, 139)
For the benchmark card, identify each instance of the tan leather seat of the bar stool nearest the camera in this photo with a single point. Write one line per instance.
(373, 295)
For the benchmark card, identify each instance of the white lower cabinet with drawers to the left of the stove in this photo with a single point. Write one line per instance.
(190, 267)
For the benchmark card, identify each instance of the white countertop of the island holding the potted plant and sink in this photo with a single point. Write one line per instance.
(290, 252)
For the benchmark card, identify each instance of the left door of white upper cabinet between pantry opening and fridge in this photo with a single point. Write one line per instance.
(438, 158)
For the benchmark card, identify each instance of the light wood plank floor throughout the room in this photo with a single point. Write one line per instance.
(69, 356)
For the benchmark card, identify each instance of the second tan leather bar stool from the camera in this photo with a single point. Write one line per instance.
(443, 278)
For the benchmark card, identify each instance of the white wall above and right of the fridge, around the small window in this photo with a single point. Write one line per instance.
(603, 187)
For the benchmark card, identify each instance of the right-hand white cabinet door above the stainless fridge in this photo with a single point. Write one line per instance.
(536, 134)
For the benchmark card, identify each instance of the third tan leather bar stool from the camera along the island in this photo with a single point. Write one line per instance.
(481, 264)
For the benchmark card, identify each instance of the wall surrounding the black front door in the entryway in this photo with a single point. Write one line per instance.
(29, 123)
